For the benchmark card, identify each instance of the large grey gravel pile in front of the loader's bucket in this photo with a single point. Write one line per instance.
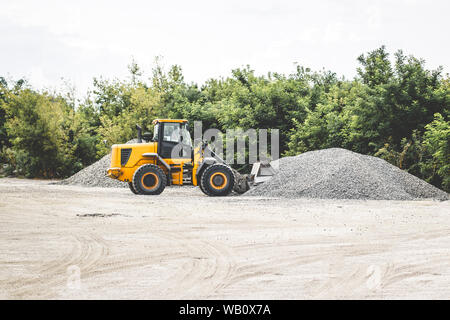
(342, 174)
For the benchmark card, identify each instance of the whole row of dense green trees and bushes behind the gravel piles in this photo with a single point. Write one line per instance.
(397, 110)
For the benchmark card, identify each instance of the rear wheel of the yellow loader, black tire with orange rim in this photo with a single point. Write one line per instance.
(149, 179)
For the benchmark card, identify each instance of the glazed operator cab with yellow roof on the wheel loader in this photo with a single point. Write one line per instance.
(173, 138)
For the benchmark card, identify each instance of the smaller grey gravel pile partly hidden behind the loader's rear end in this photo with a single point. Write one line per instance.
(95, 175)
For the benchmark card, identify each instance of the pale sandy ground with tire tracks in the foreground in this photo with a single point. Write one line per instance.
(64, 242)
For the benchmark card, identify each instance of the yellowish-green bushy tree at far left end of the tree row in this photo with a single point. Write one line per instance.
(35, 126)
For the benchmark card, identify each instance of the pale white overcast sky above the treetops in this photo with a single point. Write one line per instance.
(45, 40)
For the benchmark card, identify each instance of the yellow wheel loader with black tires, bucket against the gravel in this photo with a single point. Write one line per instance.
(168, 157)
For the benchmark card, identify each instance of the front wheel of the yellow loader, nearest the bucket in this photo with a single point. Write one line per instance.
(217, 180)
